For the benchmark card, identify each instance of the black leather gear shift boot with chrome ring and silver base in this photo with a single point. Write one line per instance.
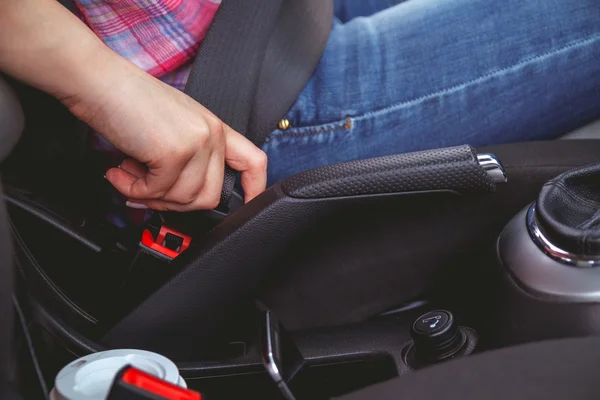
(551, 248)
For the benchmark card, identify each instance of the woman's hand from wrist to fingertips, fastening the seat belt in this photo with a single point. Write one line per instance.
(178, 148)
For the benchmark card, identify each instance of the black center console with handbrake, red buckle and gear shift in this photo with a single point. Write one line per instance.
(420, 299)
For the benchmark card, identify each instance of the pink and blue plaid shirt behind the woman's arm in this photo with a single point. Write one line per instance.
(159, 36)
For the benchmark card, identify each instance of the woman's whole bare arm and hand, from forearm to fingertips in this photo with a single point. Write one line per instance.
(181, 148)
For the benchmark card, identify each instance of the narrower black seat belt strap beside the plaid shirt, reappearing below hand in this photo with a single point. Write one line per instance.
(227, 66)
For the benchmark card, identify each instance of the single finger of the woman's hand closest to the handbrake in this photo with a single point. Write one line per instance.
(243, 156)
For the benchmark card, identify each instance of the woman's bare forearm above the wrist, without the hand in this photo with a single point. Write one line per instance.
(44, 45)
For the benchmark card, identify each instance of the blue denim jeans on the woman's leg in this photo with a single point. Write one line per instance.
(401, 76)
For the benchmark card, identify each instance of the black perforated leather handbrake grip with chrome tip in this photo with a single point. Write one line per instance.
(457, 169)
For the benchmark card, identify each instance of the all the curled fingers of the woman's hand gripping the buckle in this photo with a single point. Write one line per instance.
(178, 183)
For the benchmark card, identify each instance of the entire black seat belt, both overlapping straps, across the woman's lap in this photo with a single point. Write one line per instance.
(254, 61)
